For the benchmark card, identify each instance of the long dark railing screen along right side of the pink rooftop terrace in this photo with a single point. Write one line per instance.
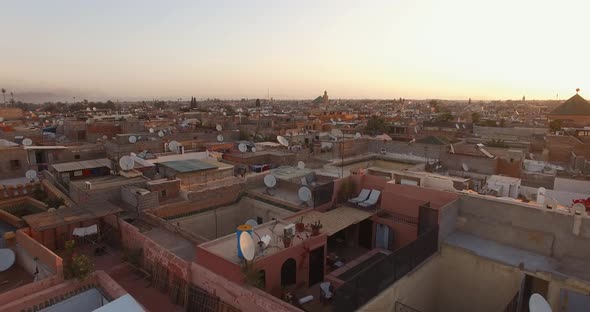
(377, 277)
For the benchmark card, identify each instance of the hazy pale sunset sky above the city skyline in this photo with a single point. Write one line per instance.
(452, 49)
